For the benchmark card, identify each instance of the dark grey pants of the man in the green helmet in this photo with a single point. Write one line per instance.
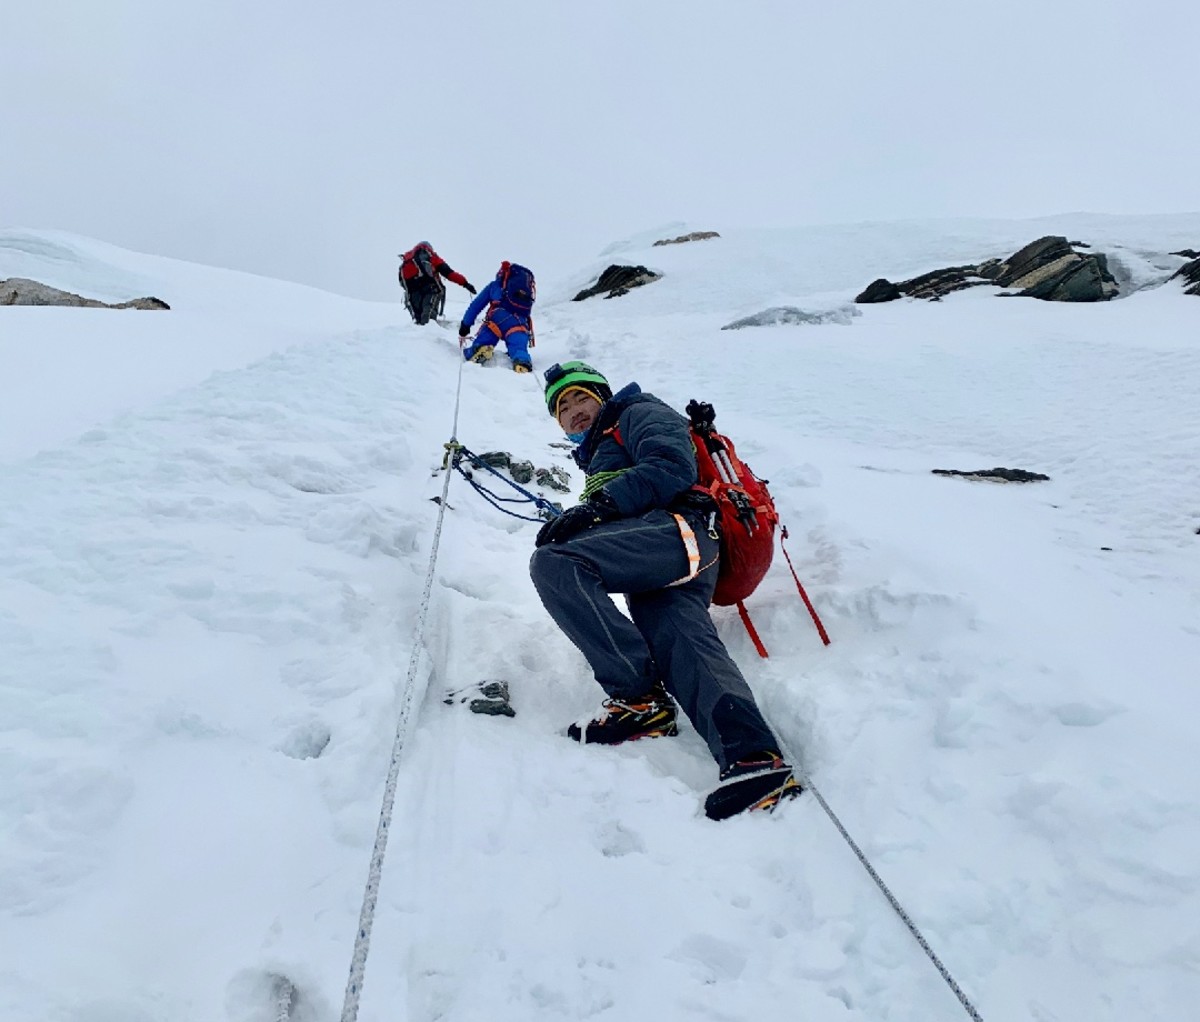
(671, 638)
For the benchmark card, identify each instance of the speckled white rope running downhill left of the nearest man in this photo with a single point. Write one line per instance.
(407, 701)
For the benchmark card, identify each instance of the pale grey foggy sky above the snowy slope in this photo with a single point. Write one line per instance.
(315, 141)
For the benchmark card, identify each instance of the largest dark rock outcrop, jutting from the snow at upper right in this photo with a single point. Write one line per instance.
(1049, 269)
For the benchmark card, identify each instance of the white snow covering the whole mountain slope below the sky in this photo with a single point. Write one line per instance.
(215, 526)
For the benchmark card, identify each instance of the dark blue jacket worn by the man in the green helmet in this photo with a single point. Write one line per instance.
(656, 459)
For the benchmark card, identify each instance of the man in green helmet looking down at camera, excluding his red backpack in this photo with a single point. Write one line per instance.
(645, 532)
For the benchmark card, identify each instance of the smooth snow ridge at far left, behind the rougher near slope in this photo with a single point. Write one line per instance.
(64, 371)
